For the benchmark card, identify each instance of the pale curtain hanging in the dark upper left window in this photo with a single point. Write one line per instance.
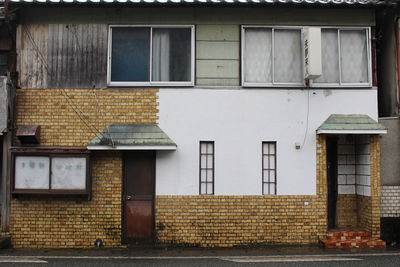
(161, 55)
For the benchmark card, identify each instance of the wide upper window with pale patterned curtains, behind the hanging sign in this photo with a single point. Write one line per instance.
(274, 56)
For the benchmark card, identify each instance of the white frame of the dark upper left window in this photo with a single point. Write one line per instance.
(150, 83)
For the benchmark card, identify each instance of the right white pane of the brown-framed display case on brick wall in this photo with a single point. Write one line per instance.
(68, 173)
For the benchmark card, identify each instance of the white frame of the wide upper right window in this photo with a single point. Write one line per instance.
(312, 84)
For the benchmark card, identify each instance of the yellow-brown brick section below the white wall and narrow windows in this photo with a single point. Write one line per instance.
(226, 221)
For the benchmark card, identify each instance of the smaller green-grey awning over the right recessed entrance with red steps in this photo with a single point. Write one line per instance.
(351, 124)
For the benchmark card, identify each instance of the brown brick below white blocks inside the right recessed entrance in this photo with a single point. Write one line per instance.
(346, 210)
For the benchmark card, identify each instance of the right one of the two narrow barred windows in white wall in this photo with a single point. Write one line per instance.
(269, 168)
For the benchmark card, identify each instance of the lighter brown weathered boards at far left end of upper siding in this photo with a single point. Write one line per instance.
(32, 55)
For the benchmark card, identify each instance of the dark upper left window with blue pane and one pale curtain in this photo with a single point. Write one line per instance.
(151, 55)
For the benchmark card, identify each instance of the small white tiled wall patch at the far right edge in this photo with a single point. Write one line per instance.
(390, 201)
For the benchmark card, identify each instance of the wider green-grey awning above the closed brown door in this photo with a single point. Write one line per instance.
(132, 137)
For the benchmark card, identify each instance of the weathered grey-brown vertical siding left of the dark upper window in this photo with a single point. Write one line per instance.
(62, 55)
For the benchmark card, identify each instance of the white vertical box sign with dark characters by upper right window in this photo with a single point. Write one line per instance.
(312, 52)
